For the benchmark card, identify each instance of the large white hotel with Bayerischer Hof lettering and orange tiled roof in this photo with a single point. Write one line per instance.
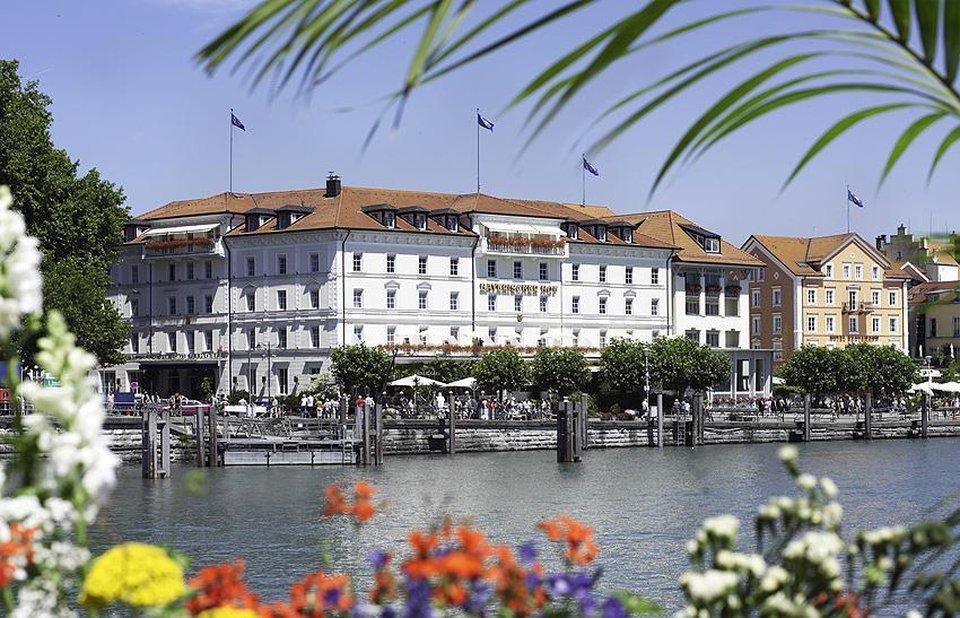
(242, 288)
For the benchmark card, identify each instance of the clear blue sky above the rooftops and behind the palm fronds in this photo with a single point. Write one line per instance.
(129, 100)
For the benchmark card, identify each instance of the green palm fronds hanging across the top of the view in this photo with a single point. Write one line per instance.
(908, 59)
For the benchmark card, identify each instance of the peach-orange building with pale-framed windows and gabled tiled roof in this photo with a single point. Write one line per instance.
(826, 290)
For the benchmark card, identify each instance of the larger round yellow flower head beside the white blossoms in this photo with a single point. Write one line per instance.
(136, 574)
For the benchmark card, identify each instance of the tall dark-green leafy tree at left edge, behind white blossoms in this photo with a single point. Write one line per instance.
(78, 218)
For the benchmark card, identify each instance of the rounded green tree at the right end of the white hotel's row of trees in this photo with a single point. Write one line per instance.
(678, 363)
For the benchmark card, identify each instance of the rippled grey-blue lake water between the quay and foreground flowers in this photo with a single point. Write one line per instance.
(644, 503)
